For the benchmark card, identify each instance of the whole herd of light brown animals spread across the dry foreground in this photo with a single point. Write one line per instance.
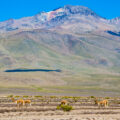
(21, 102)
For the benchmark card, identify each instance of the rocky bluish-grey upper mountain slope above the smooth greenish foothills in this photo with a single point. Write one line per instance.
(58, 17)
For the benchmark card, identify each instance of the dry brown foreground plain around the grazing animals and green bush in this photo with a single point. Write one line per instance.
(45, 108)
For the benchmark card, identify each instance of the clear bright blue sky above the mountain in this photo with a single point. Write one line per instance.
(22, 8)
